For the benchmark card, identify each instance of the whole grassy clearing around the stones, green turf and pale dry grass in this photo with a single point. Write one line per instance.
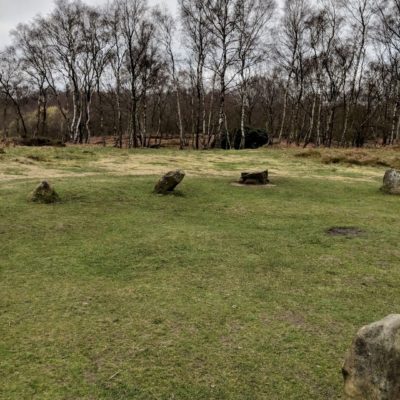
(217, 292)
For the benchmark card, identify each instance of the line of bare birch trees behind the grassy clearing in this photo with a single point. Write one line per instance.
(322, 73)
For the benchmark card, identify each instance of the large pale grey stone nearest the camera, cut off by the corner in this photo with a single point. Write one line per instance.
(371, 370)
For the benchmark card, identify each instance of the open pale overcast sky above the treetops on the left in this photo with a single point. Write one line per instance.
(12, 12)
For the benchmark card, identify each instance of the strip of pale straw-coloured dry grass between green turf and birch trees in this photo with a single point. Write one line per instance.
(49, 163)
